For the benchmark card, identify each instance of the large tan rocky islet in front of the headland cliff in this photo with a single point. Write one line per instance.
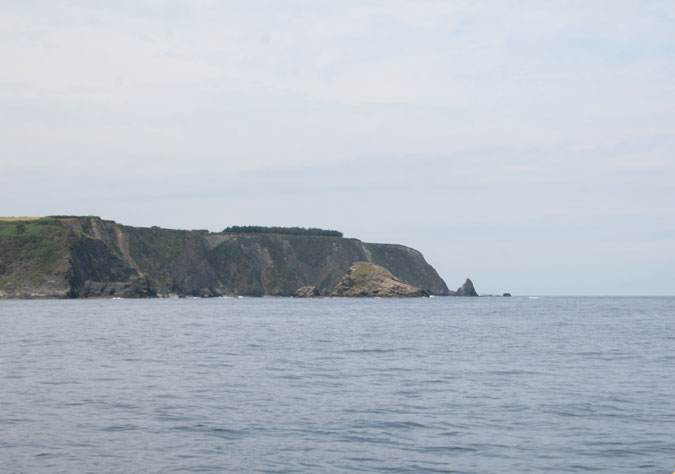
(368, 280)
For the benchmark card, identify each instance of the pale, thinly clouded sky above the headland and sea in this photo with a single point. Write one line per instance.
(527, 145)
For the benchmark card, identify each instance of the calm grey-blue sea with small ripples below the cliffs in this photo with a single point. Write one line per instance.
(470, 385)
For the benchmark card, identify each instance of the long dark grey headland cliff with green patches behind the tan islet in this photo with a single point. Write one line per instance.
(88, 256)
